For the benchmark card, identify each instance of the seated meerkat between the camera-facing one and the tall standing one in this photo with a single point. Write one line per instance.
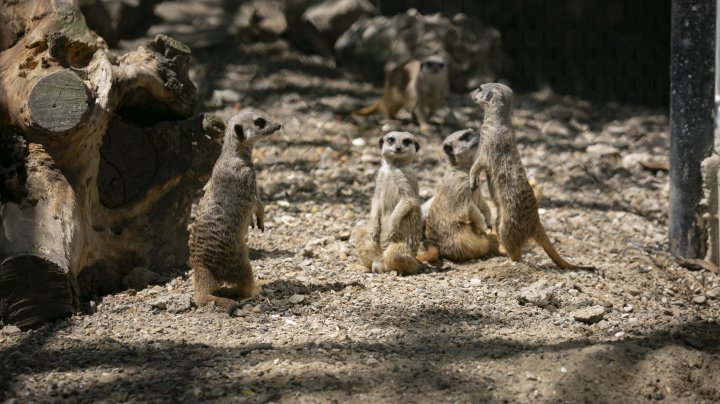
(458, 218)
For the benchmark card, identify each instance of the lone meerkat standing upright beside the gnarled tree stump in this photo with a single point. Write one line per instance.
(218, 253)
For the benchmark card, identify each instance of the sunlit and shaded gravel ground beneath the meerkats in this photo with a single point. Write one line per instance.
(641, 328)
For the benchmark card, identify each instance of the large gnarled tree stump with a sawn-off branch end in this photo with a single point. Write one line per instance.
(99, 162)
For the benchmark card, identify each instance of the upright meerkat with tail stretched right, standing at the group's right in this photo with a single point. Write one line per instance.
(517, 218)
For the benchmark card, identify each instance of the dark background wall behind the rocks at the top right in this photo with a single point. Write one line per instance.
(603, 50)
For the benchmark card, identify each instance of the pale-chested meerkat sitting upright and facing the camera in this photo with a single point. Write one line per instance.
(391, 240)
